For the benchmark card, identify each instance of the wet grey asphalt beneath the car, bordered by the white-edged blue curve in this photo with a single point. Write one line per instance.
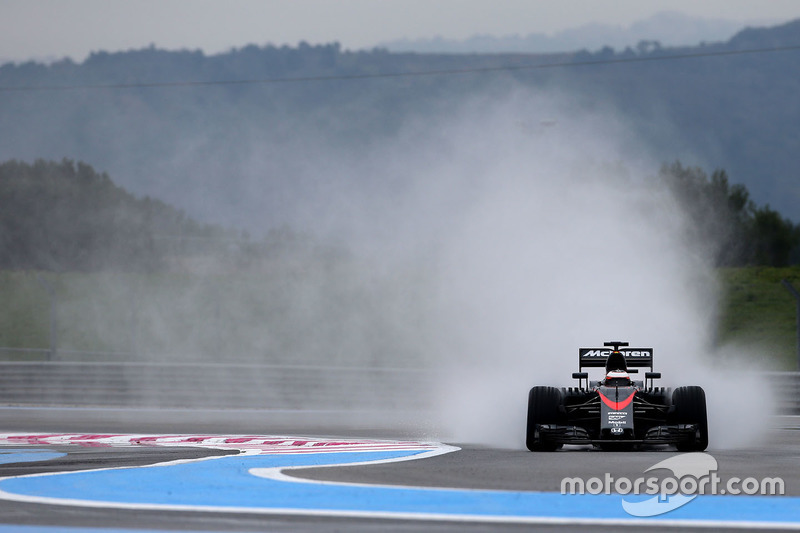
(485, 468)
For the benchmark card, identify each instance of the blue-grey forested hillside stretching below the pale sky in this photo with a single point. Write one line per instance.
(250, 155)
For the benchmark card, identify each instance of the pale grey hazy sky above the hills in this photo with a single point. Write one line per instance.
(57, 28)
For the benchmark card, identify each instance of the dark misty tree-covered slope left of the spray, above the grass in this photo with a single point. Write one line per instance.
(65, 216)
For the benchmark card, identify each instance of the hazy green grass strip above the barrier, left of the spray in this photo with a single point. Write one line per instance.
(313, 314)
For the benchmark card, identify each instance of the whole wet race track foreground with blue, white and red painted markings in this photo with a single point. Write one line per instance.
(354, 480)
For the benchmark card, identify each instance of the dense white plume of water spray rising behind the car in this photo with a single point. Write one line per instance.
(543, 240)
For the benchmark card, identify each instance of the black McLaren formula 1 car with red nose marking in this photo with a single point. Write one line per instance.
(616, 413)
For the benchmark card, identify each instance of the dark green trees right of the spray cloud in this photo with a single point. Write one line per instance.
(723, 216)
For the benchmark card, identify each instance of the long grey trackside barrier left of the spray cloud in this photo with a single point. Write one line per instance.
(217, 386)
